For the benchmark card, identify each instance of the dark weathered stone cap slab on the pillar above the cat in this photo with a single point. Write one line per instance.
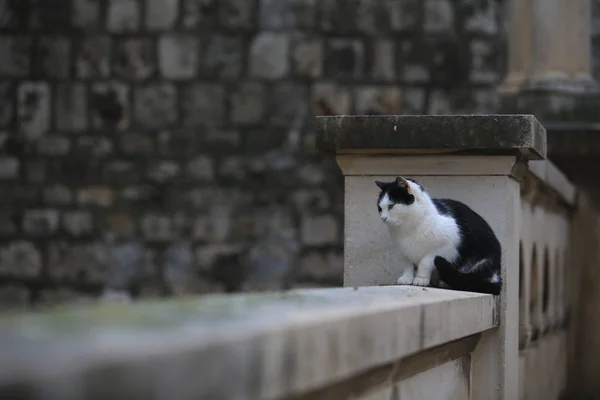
(500, 134)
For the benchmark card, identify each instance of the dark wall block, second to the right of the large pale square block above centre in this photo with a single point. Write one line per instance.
(345, 58)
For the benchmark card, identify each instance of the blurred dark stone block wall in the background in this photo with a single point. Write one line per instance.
(166, 146)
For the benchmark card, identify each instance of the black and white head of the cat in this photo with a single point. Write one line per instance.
(398, 199)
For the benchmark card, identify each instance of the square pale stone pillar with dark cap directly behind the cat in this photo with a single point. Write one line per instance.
(475, 159)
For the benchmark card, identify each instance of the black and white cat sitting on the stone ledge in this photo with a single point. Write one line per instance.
(441, 233)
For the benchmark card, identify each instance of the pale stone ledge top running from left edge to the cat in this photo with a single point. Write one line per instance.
(247, 346)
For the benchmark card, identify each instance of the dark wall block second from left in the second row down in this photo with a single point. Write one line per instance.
(53, 57)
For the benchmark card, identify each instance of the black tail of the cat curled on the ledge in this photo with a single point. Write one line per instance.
(472, 281)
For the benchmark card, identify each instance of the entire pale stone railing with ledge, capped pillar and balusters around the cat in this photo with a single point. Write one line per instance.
(368, 340)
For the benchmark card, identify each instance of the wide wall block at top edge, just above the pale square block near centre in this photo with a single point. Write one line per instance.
(287, 14)
